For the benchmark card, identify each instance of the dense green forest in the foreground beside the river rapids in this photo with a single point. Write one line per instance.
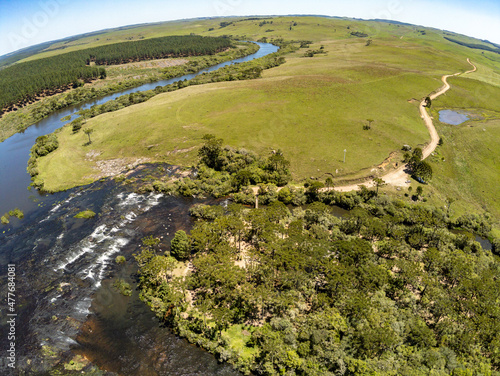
(392, 287)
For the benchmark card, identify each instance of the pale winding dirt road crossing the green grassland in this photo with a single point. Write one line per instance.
(399, 177)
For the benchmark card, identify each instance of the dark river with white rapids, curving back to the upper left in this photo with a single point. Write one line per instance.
(64, 299)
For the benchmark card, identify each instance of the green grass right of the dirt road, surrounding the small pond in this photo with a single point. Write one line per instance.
(467, 166)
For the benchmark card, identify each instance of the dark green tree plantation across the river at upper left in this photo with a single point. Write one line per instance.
(24, 83)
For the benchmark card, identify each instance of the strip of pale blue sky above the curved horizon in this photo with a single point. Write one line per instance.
(27, 22)
